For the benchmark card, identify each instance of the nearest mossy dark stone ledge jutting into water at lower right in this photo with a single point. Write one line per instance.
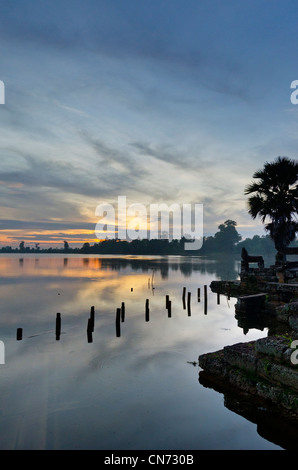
(257, 368)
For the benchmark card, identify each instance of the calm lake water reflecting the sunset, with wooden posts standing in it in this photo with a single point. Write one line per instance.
(138, 390)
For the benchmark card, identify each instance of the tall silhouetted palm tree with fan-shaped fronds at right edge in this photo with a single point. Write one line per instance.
(275, 196)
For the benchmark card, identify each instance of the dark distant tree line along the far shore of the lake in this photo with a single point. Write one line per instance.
(226, 240)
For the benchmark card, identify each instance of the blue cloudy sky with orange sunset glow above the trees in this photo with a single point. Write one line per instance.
(160, 101)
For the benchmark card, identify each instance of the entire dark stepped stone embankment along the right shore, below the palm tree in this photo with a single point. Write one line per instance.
(266, 369)
